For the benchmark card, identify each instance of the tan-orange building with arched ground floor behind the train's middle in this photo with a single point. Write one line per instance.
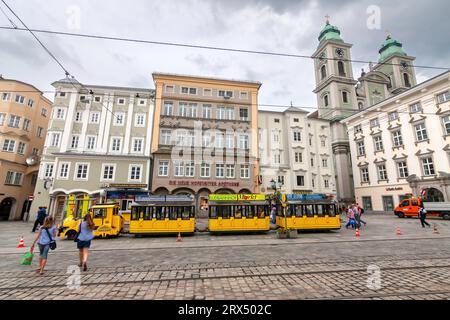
(205, 137)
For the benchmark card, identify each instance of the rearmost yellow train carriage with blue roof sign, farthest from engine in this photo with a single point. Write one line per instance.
(308, 212)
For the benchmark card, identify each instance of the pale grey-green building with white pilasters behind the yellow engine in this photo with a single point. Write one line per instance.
(97, 146)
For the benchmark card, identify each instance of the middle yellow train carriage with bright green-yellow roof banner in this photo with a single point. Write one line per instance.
(238, 213)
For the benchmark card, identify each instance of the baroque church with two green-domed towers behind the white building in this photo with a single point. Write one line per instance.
(340, 95)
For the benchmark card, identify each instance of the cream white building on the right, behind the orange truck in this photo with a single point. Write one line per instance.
(402, 146)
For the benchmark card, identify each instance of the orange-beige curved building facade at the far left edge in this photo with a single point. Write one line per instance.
(24, 115)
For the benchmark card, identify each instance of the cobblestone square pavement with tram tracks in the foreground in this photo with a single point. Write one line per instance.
(333, 265)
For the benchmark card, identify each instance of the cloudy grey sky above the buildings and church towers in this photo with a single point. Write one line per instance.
(287, 26)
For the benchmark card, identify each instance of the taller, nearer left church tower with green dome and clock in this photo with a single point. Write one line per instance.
(336, 99)
